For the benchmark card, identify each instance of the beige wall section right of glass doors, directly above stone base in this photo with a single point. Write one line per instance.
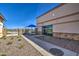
(72, 27)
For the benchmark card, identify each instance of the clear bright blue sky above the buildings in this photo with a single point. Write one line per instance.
(19, 15)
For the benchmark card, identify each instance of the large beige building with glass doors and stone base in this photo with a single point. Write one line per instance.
(61, 21)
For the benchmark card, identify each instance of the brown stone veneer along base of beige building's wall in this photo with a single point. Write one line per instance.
(71, 36)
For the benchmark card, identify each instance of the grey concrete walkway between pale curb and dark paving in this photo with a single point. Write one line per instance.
(47, 46)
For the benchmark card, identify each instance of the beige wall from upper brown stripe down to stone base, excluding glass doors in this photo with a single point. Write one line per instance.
(60, 25)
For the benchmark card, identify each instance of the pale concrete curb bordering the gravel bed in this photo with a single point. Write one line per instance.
(40, 49)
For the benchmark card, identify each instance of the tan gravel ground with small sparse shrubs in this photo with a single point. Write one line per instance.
(16, 46)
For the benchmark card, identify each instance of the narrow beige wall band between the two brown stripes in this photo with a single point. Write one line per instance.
(62, 20)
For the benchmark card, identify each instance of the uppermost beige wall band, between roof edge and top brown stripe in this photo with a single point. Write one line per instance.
(61, 11)
